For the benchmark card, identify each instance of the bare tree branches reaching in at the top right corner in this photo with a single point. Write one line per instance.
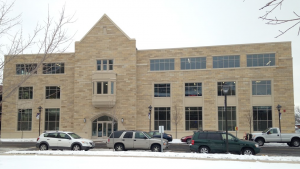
(273, 20)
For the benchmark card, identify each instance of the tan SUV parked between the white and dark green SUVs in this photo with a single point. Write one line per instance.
(134, 140)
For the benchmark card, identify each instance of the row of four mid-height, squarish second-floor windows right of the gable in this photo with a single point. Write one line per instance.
(195, 89)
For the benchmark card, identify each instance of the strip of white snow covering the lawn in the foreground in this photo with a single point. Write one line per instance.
(51, 162)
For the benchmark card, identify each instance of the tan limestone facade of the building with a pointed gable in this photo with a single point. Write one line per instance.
(131, 87)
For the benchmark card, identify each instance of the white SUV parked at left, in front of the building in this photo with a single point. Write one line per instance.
(63, 140)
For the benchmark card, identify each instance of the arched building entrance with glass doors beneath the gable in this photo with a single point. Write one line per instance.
(103, 126)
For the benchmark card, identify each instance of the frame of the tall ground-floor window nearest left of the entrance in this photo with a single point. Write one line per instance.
(56, 121)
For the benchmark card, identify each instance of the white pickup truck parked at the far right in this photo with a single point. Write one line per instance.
(273, 135)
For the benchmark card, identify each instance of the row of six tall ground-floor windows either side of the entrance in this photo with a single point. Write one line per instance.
(262, 118)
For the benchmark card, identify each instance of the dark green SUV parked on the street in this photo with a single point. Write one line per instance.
(215, 142)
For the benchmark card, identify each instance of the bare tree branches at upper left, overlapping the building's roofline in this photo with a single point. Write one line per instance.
(54, 41)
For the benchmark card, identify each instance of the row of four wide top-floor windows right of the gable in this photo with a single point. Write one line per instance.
(231, 61)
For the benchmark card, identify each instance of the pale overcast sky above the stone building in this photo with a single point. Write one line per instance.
(172, 23)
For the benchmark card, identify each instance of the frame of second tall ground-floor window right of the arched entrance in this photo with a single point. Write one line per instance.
(199, 112)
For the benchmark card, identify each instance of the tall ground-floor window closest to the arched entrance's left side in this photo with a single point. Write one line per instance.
(52, 119)
